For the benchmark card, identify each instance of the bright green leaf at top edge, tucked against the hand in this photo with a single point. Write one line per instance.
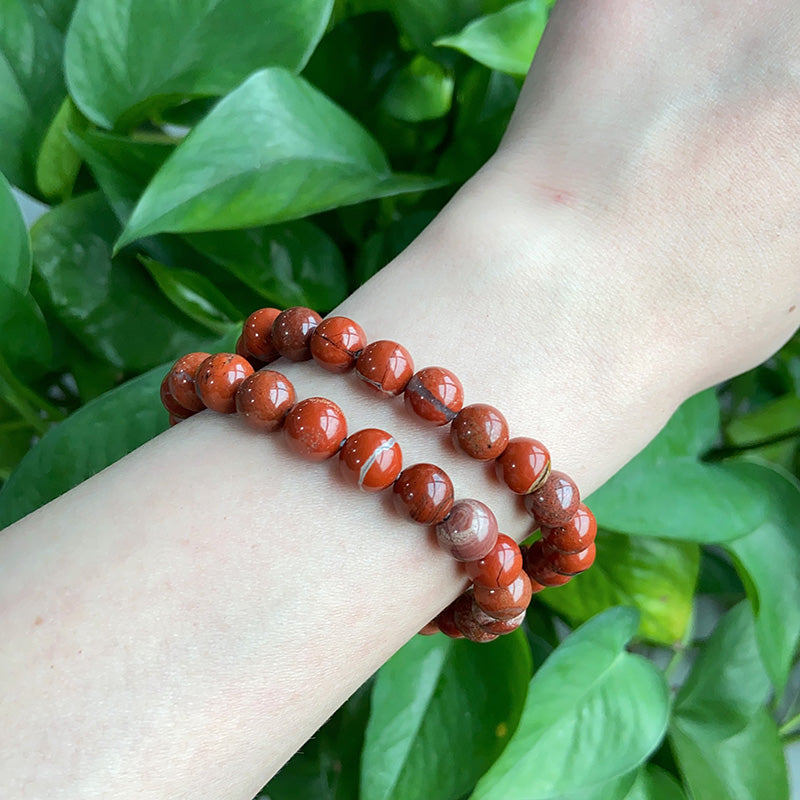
(506, 40)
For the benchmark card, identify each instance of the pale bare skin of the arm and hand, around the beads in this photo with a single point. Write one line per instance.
(180, 624)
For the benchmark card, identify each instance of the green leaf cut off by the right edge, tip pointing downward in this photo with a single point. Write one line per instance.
(768, 560)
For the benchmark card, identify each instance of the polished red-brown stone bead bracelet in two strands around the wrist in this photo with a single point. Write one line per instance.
(504, 575)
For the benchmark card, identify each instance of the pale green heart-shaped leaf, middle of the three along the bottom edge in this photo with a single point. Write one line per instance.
(594, 712)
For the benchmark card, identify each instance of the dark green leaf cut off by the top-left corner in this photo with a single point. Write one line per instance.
(31, 87)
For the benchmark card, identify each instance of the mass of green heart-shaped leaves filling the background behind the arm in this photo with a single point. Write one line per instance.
(201, 158)
